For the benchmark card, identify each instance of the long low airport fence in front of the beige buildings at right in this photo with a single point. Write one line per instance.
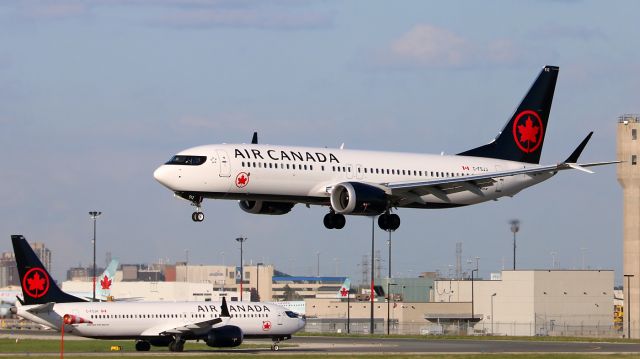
(550, 328)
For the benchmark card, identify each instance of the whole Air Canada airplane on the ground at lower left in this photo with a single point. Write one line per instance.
(218, 324)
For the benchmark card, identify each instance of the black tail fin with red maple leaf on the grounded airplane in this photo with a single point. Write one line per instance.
(37, 285)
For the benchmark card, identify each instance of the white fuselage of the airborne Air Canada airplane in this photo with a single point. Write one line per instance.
(307, 175)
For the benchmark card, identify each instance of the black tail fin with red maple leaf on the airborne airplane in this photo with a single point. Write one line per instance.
(522, 138)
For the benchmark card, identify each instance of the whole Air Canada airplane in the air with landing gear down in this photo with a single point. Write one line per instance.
(269, 179)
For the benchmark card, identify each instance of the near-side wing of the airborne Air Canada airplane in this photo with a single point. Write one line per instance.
(411, 191)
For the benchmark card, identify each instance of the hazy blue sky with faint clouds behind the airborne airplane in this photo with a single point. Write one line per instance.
(94, 95)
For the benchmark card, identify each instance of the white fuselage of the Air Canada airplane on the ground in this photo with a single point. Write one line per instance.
(139, 320)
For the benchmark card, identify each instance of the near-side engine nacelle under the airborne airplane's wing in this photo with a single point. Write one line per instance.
(358, 198)
